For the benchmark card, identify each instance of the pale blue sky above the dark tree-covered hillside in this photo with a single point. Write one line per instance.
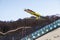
(14, 9)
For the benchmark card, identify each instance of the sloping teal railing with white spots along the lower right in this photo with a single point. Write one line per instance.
(43, 31)
